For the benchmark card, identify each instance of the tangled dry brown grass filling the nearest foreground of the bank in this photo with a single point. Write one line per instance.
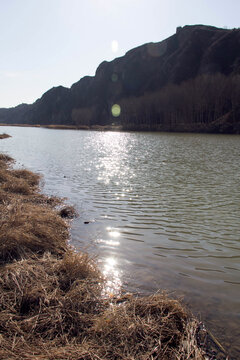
(52, 309)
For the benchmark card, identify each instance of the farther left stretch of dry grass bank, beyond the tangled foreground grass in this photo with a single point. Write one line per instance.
(28, 224)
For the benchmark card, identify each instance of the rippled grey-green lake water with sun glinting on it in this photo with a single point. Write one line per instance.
(159, 210)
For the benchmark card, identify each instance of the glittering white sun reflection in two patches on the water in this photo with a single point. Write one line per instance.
(113, 173)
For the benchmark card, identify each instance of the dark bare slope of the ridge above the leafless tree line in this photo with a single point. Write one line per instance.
(190, 53)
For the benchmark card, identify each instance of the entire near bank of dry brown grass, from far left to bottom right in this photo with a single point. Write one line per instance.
(52, 299)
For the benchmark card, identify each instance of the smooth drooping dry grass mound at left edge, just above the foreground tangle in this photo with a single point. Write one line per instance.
(27, 228)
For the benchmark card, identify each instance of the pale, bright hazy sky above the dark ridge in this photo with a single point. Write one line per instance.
(46, 43)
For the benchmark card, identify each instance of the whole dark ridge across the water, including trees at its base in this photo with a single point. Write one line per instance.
(187, 82)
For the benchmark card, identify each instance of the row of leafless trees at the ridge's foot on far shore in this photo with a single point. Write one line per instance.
(203, 103)
